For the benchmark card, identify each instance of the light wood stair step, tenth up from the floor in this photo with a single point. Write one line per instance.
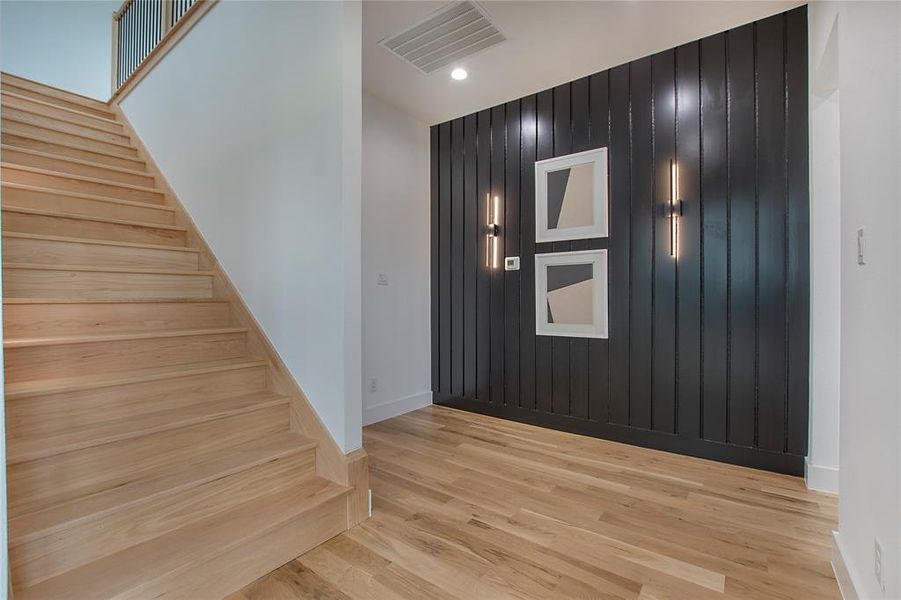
(33, 198)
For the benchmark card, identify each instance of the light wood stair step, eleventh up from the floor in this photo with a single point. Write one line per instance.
(77, 183)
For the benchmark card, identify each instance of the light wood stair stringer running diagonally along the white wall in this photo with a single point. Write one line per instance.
(351, 469)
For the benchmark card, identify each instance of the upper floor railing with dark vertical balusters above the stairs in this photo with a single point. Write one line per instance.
(138, 28)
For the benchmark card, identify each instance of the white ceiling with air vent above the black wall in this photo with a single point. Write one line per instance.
(548, 43)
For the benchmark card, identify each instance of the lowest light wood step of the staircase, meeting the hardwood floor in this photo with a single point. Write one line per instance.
(158, 567)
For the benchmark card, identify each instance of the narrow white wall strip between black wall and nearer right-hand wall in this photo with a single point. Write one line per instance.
(825, 255)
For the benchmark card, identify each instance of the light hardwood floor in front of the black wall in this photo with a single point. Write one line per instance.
(472, 507)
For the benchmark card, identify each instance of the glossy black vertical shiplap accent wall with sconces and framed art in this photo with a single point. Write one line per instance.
(708, 354)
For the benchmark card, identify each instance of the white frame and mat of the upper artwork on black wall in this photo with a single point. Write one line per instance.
(597, 158)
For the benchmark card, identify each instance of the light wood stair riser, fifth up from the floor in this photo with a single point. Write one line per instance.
(67, 360)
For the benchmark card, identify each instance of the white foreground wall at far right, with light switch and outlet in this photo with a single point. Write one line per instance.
(869, 112)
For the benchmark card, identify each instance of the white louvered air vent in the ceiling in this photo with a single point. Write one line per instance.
(447, 36)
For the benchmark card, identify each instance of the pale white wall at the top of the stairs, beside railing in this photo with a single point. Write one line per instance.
(64, 44)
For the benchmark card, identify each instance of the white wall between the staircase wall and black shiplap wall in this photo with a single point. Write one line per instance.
(396, 321)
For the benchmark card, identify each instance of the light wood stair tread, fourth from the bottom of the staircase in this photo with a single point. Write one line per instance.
(15, 391)
